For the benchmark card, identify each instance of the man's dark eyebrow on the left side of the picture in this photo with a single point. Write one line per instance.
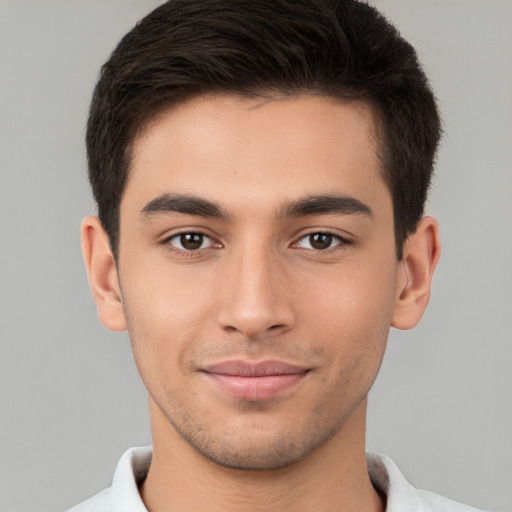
(183, 203)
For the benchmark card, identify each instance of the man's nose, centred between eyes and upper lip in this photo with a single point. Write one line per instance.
(256, 295)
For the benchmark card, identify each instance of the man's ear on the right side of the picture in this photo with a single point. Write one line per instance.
(421, 254)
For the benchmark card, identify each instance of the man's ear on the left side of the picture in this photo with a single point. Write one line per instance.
(102, 272)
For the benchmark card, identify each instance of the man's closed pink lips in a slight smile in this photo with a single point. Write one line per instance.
(255, 381)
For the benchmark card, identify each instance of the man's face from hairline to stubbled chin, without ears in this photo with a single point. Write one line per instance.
(258, 273)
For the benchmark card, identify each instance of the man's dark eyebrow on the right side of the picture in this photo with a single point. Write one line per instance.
(324, 205)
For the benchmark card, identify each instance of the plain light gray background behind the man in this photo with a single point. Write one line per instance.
(71, 401)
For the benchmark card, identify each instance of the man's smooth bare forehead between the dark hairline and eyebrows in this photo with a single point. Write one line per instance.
(253, 150)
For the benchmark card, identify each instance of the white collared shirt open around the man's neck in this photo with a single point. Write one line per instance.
(123, 495)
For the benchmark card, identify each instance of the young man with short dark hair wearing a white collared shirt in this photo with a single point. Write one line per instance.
(261, 169)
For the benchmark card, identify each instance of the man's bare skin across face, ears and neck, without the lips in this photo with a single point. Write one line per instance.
(254, 288)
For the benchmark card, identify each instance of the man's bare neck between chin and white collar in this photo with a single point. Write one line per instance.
(332, 478)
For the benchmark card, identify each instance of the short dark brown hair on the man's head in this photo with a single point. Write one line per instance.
(262, 49)
